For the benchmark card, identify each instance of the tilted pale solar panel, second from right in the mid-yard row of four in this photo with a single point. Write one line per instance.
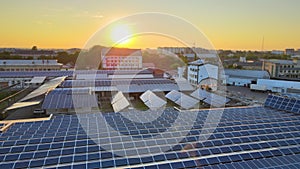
(185, 101)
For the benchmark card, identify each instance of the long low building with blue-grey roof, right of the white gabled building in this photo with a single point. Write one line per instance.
(239, 77)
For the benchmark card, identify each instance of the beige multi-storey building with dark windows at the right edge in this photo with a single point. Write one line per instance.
(282, 69)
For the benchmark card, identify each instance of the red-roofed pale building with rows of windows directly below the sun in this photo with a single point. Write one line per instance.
(121, 59)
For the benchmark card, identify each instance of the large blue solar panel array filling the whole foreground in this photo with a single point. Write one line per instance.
(256, 137)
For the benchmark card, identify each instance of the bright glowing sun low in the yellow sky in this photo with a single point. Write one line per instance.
(120, 35)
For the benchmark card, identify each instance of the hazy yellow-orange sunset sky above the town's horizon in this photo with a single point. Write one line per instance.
(227, 24)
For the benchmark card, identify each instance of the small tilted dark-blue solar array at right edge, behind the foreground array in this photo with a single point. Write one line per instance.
(283, 103)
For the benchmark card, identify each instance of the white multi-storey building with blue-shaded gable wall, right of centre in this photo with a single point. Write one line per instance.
(203, 74)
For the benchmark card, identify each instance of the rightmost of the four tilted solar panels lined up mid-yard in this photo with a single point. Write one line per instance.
(210, 98)
